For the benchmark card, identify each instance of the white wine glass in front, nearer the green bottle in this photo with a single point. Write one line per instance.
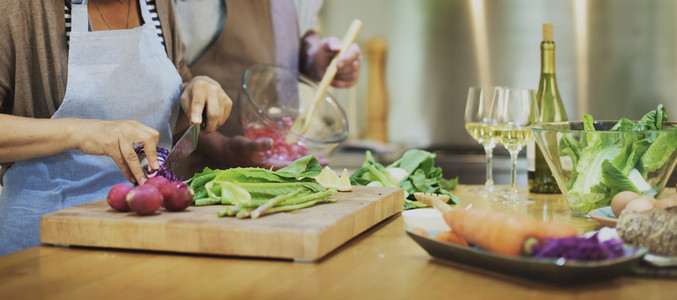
(514, 114)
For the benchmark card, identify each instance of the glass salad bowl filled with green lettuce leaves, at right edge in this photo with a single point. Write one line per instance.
(590, 167)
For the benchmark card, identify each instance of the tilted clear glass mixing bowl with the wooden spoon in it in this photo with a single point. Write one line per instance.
(274, 98)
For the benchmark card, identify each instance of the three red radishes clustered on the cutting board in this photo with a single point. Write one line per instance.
(147, 198)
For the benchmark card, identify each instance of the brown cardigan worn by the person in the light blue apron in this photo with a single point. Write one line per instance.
(34, 55)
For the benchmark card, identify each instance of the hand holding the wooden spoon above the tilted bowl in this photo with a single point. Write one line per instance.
(319, 55)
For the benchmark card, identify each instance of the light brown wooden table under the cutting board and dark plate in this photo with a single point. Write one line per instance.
(382, 263)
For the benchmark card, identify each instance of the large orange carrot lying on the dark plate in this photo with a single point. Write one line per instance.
(500, 232)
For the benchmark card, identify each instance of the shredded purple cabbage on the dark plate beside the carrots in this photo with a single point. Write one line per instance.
(579, 248)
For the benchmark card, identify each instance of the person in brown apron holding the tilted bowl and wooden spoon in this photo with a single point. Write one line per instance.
(256, 32)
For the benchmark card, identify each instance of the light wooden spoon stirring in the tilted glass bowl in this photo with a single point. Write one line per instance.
(348, 40)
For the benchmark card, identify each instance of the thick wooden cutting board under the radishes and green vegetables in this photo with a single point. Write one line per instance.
(307, 234)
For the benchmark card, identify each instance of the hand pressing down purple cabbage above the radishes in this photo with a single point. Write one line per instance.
(117, 139)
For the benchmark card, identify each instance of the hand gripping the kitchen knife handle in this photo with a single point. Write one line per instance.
(205, 94)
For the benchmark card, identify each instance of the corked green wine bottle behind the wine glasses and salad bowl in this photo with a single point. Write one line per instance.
(551, 110)
